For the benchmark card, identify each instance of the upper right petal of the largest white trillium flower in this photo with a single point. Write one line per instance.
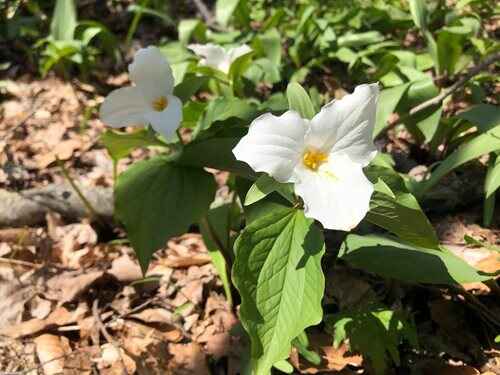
(346, 125)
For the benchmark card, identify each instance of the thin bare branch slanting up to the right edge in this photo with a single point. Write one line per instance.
(447, 91)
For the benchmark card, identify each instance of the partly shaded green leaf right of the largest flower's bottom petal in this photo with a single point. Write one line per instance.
(393, 208)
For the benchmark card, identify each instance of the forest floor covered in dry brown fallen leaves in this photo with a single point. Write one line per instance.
(73, 300)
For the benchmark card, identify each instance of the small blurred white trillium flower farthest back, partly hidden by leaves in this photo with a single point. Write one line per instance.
(217, 57)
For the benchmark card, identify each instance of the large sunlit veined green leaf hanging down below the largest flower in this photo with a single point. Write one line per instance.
(279, 277)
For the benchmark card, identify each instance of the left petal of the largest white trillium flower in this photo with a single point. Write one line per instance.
(273, 144)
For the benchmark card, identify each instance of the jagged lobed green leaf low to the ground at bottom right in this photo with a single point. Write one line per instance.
(376, 332)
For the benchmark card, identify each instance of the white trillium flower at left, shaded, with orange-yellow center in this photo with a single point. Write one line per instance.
(150, 101)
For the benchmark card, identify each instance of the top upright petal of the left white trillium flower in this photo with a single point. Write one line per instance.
(151, 73)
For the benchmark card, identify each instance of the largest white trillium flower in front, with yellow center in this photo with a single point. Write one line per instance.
(324, 157)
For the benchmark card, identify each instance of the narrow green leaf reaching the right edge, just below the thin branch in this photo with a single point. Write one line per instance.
(480, 145)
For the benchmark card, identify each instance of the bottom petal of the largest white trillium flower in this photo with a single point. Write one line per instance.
(337, 195)
